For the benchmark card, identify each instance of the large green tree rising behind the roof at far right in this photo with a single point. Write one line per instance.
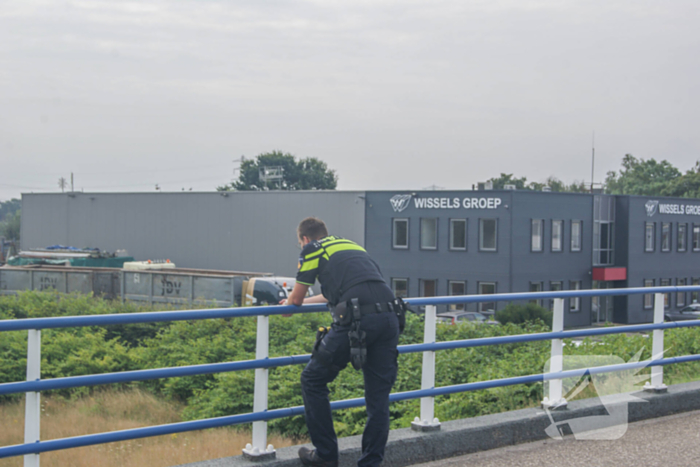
(641, 177)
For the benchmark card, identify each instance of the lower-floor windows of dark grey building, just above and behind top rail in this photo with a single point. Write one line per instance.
(428, 288)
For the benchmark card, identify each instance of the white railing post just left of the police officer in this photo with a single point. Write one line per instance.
(259, 449)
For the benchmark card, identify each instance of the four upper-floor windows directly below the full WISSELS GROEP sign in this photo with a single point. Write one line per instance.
(488, 234)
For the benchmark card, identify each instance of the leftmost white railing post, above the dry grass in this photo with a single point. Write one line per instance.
(32, 410)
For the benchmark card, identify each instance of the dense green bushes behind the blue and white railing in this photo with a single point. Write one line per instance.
(91, 350)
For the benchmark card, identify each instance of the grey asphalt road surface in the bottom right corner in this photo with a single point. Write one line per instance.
(667, 441)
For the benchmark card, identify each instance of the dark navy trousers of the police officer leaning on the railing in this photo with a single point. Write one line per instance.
(379, 373)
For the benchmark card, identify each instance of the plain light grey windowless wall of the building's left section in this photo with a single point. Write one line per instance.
(235, 231)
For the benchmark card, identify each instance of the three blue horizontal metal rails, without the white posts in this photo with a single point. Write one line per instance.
(101, 320)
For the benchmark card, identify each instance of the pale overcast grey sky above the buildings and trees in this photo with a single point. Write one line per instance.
(391, 94)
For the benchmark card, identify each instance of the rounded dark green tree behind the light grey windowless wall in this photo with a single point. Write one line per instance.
(303, 174)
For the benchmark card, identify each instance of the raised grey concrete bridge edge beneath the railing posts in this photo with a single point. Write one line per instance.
(407, 447)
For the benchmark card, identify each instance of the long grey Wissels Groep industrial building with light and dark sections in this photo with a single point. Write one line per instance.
(426, 242)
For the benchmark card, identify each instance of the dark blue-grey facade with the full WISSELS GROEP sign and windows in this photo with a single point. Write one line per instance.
(484, 244)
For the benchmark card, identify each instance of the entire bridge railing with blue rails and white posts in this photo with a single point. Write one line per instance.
(32, 446)
